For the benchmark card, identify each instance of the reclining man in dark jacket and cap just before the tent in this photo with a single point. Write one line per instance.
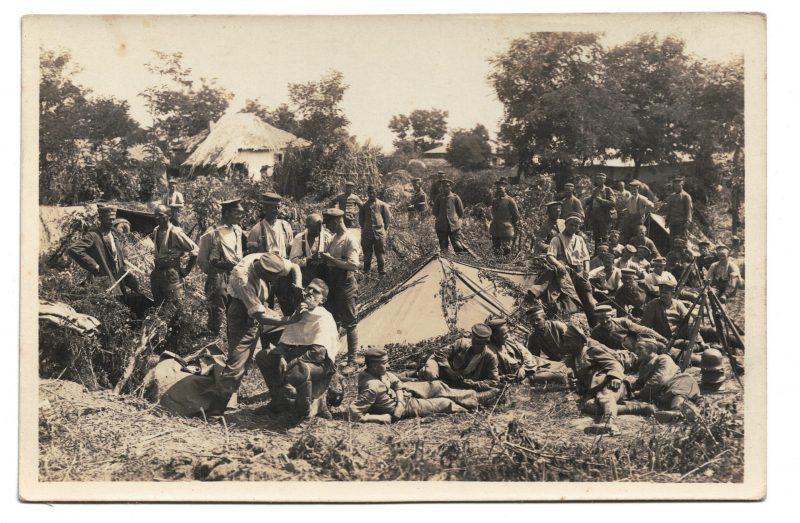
(469, 363)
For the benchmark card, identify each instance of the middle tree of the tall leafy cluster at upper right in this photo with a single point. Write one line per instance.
(653, 80)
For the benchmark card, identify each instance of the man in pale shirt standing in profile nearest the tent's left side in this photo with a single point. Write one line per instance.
(342, 260)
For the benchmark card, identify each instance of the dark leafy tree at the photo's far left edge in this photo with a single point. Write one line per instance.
(83, 140)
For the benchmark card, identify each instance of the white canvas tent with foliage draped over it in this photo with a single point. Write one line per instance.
(426, 306)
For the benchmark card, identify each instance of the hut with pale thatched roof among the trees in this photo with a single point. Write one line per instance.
(243, 139)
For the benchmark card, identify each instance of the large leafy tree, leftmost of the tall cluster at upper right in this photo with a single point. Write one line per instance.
(556, 114)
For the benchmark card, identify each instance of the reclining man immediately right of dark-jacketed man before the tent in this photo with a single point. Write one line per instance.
(515, 363)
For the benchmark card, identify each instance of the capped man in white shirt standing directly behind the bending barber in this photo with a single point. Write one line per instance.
(273, 235)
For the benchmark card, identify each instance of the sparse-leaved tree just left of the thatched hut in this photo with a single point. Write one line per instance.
(179, 105)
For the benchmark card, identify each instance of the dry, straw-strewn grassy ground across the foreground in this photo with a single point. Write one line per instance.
(529, 435)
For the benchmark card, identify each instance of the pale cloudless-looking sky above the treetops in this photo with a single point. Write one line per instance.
(392, 64)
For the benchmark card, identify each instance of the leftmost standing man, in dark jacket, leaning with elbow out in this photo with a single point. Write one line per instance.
(100, 253)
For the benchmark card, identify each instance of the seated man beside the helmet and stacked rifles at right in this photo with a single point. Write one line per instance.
(662, 383)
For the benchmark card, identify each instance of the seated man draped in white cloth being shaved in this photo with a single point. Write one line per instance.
(299, 369)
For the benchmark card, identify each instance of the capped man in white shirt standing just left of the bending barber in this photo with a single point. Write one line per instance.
(220, 249)
